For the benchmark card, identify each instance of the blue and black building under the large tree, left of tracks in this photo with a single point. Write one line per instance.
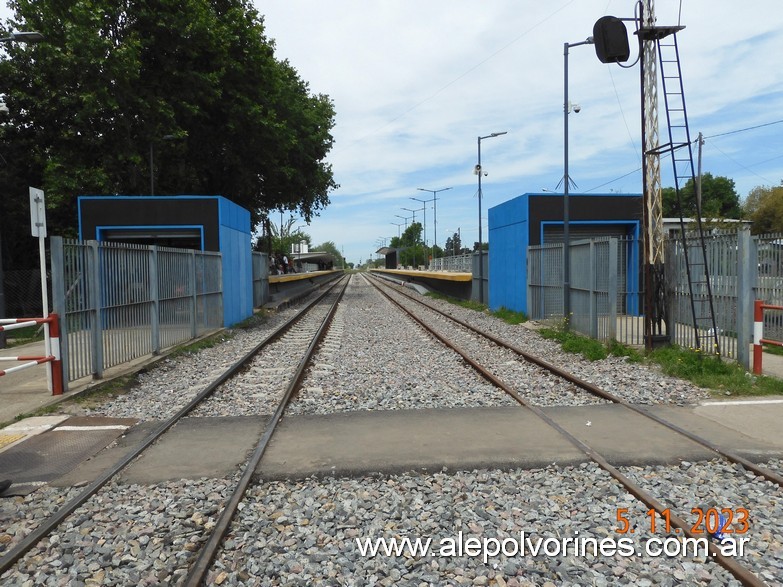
(206, 223)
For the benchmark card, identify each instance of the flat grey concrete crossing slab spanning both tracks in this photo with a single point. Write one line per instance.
(388, 442)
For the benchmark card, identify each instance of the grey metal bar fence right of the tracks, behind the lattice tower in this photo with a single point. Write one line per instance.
(607, 288)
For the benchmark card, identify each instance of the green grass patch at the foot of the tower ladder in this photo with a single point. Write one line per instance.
(712, 373)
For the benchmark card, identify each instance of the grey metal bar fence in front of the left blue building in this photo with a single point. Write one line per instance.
(118, 302)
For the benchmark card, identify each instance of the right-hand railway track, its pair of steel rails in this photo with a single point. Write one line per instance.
(663, 510)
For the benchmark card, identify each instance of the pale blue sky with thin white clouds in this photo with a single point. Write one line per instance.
(414, 83)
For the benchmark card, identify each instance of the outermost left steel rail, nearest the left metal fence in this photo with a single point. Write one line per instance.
(20, 549)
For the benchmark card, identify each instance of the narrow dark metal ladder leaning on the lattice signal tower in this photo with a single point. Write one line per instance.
(679, 146)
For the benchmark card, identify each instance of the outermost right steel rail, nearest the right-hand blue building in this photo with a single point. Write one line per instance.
(595, 390)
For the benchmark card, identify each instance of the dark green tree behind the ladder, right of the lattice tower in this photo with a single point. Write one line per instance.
(719, 199)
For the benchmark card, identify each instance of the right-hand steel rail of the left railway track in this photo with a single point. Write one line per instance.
(199, 570)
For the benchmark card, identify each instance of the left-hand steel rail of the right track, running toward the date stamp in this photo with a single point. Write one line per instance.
(744, 575)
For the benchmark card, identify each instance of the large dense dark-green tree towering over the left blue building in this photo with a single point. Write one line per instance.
(194, 83)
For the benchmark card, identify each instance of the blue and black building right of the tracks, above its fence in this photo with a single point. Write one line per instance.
(537, 218)
